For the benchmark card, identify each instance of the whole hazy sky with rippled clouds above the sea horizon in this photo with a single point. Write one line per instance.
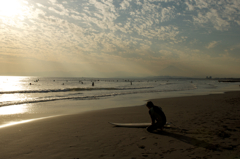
(120, 38)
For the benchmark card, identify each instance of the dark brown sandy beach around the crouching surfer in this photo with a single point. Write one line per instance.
(203, 127)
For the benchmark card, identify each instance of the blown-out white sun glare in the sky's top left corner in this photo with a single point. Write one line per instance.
(10, 8)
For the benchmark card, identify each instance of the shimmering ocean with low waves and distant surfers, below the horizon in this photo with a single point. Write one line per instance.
(28, 97)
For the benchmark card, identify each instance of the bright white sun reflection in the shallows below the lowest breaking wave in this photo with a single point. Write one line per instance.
(15, 109)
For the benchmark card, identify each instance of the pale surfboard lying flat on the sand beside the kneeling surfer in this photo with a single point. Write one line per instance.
(136, 125)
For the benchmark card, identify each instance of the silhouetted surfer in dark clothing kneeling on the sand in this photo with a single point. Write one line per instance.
(157, 115)
